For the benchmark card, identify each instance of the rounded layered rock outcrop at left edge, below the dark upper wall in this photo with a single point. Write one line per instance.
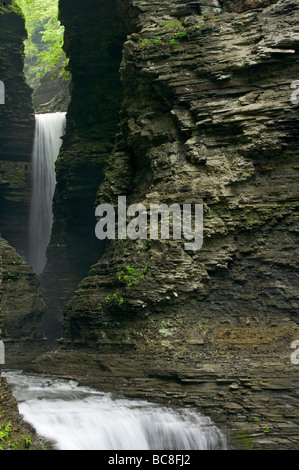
(22, 309)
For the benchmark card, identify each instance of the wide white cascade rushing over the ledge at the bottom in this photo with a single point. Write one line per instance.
(80, 418)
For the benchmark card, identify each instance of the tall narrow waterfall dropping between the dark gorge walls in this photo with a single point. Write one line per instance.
(49, 128)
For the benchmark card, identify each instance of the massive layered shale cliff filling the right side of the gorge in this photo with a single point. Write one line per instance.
(206, 118)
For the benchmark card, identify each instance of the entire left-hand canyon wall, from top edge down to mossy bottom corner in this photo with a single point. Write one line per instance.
(21, 305)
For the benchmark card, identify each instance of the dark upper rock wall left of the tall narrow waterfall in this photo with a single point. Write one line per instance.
(17, 130)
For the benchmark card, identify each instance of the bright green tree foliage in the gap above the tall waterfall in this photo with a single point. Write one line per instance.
(43, 48)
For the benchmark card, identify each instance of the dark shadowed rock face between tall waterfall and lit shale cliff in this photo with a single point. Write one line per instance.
(93, 42)
